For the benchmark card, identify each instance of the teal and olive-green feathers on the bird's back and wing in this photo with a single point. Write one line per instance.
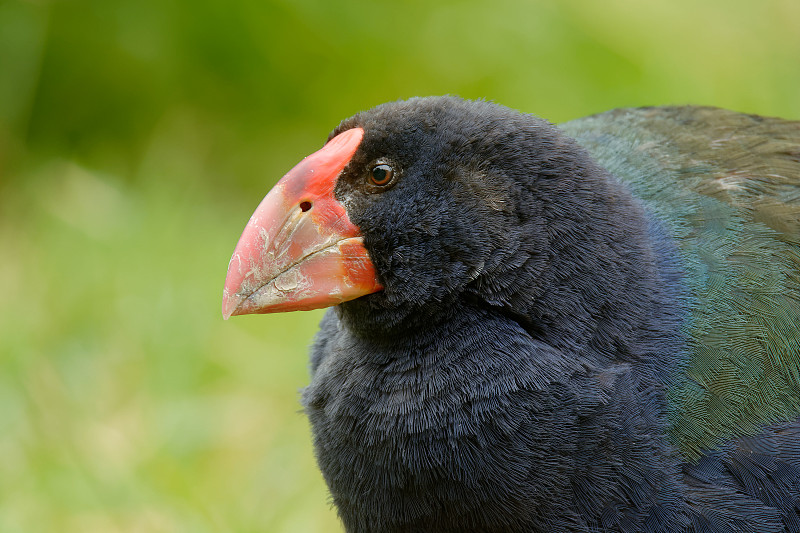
(727, 187)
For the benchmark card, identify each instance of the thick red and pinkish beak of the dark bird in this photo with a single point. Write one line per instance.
(300, 251)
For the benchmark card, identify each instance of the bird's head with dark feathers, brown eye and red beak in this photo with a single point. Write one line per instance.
(408, 206)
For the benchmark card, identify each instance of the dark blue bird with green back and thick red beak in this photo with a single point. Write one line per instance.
(584, 327)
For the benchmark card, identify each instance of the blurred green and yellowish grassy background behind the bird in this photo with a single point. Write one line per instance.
(137, 136)
